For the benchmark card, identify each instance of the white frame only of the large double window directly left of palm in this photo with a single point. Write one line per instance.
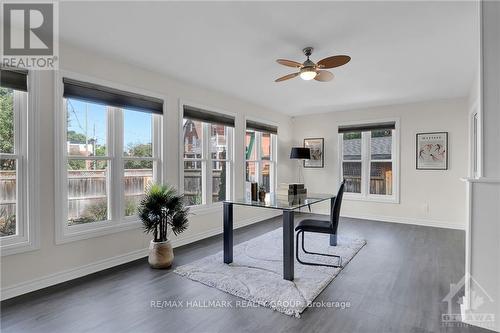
(116, 199)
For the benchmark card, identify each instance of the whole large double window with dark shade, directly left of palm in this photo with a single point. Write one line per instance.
(111, 142)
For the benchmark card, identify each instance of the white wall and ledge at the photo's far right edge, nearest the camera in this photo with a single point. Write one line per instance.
(483, 232)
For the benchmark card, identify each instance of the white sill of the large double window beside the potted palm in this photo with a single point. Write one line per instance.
(97, 229)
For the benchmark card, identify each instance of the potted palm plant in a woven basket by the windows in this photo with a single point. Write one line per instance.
(160, 209)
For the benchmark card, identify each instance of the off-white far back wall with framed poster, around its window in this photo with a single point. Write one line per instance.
(441, 191)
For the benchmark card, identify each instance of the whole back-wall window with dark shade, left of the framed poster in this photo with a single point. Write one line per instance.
(369, 161)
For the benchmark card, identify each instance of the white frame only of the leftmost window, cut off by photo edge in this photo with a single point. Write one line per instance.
(26, 154)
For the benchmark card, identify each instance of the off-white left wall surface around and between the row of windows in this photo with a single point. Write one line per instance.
(55, 263)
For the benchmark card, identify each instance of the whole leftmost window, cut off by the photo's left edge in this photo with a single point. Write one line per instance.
(17, 164)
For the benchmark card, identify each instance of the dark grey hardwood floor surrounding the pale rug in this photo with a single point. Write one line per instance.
(395, 284)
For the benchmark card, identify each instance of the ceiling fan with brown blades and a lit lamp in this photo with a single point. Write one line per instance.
(308, 70)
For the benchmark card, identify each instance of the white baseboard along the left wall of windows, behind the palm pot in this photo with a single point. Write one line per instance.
(77, 272)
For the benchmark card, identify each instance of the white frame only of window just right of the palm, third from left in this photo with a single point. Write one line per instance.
(206, 160)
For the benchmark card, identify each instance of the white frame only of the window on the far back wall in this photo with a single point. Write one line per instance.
(366, 160)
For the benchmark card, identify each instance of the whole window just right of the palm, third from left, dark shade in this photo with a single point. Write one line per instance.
(207, 156)
